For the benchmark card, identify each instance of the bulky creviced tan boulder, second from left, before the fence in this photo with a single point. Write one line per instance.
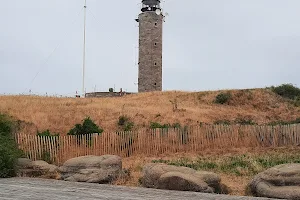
(92, 169)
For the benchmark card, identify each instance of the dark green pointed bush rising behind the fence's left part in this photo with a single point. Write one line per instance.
(87, 127)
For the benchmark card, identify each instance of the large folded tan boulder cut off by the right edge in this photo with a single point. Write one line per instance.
(282, 181)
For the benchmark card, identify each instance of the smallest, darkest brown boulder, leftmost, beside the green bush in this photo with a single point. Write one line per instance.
(39, 168)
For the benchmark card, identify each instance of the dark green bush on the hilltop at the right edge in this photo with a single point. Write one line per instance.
(287, 91)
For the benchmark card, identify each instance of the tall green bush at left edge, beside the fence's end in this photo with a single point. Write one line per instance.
(9, 152)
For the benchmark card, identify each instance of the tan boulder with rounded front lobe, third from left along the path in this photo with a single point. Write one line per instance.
(162, 176)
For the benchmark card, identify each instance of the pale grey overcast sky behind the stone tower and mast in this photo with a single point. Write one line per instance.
(208, 45)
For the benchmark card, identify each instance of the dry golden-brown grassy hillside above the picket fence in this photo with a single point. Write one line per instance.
(59, 115)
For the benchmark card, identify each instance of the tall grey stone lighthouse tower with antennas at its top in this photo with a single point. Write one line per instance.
(150, 46)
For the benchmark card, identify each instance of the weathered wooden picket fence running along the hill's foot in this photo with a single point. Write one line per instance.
(157, 142)
